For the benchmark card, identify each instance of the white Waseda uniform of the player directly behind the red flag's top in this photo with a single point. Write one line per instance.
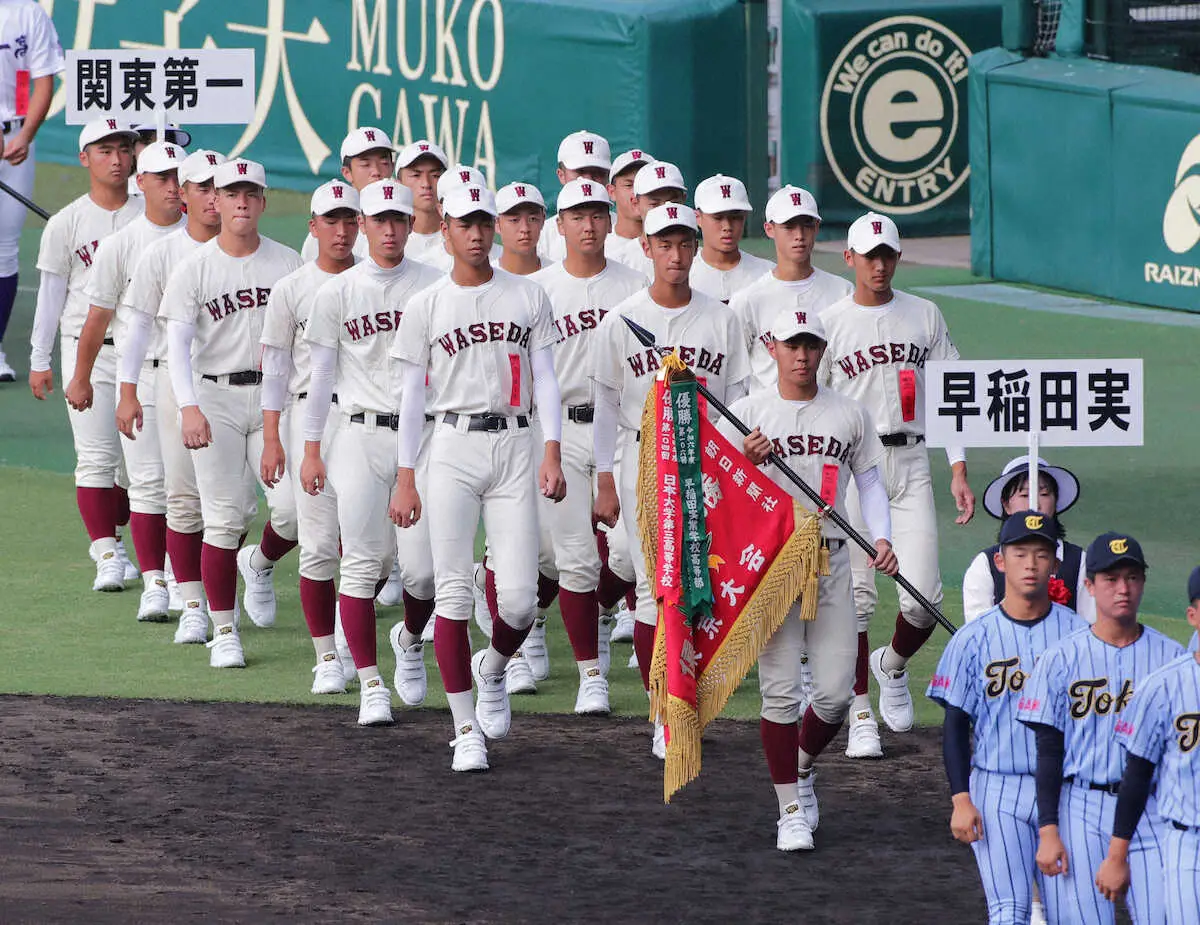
(709, 340)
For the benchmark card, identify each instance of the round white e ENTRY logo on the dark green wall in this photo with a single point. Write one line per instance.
(891, 113)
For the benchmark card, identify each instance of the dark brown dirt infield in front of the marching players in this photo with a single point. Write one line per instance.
(122, 812)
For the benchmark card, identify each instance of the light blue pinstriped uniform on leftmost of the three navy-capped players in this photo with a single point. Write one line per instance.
(983, 672)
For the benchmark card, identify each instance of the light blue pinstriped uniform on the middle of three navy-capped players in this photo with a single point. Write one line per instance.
(1082, 687)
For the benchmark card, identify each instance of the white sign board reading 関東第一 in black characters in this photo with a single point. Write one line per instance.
(191, 86)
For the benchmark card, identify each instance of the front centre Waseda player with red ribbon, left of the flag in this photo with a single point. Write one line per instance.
(484, 341)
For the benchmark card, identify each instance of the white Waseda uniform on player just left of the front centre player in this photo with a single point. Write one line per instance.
(356, 317)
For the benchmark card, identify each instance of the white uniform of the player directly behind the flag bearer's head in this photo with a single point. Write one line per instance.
(760, 304)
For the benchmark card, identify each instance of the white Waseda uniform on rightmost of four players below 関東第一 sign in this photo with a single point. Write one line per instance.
(217, 301)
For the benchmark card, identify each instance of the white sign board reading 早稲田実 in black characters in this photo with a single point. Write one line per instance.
(1061, 403)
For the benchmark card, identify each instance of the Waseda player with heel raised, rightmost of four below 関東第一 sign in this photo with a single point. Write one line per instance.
(213, 303)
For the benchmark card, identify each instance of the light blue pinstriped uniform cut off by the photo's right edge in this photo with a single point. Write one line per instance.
(1163, 726)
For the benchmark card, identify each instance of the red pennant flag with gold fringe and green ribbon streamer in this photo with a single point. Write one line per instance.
(729, 552)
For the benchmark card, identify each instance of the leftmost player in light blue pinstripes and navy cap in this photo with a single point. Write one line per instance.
(991, 758)
